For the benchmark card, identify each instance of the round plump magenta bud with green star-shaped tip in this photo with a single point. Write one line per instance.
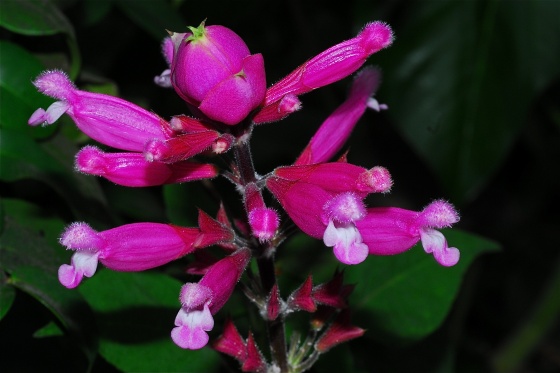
(214, 71)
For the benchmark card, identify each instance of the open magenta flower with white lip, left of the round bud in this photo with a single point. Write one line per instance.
(109, 120)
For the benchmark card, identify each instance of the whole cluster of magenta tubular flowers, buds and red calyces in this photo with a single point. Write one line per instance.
(224, 86)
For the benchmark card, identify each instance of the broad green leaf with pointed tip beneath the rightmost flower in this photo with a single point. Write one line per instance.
(408, 296)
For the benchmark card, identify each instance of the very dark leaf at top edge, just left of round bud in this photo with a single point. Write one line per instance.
(153, 16)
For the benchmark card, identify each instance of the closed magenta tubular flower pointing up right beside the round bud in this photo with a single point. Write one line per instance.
(333, 64)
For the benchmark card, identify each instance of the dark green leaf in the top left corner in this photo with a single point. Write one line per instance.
(34, 17)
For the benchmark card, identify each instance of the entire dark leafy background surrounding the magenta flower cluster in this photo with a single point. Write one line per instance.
(473, 90)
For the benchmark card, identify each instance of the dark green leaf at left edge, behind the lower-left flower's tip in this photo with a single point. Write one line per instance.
(31, 256)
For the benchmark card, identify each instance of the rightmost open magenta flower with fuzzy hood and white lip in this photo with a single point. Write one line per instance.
(391, 230)
